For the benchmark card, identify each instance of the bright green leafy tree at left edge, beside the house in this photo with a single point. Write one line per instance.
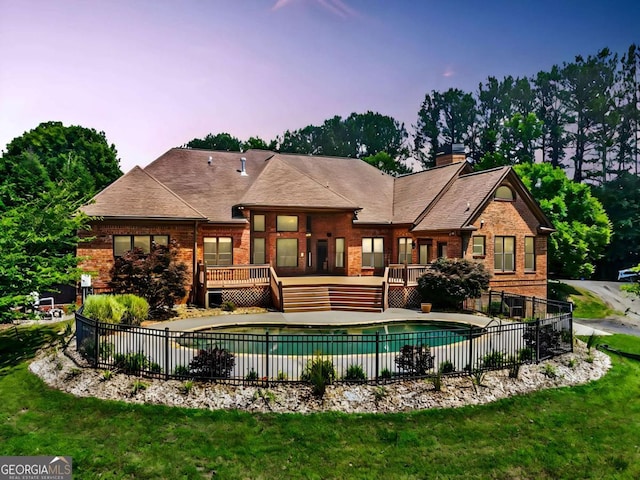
(37, 248)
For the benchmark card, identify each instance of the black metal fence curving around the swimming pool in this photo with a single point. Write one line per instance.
(380, 357)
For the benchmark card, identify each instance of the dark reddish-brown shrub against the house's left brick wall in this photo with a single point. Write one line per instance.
(156, 276)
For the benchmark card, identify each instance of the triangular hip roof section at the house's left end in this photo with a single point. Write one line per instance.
(137, 194)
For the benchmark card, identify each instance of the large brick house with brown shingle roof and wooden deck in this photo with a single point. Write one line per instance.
(241, 219)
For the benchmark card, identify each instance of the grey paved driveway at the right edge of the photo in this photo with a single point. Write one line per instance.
(626, 318)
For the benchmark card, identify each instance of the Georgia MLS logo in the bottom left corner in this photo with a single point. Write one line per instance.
(35, 468)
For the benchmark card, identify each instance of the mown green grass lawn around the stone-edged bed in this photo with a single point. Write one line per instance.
(591, 431)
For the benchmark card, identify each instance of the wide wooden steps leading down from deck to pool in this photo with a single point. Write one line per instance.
(317, 298)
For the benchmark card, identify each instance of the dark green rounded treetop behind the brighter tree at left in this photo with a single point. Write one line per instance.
(74, 155)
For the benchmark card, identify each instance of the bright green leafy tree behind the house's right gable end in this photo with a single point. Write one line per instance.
(582, 227)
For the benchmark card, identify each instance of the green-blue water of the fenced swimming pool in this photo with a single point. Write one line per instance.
(300, 340)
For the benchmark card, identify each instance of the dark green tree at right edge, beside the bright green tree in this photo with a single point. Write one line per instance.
(621, 200)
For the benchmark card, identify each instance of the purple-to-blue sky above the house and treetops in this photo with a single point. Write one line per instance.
(155, 74)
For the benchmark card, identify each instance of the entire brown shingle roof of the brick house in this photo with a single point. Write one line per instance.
(183, 184)
